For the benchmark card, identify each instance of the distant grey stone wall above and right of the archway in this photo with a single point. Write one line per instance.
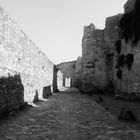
(69, 70)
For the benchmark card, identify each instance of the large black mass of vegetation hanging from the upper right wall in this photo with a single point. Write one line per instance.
(130, 24)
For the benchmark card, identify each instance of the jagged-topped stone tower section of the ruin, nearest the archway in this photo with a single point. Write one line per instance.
(93, 59)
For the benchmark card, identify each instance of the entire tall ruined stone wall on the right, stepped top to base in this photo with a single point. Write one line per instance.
(108, 60)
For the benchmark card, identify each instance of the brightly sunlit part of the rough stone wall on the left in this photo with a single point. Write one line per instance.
(19, 55)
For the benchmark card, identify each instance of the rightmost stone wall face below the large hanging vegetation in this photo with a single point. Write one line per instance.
(129, 82)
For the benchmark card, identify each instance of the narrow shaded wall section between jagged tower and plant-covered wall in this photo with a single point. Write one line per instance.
(111, 38)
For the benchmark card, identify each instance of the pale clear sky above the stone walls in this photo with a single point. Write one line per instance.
(56, 26)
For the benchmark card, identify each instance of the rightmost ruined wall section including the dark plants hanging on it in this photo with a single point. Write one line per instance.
(129, 58)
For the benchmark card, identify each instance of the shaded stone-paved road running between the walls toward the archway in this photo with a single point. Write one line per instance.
(67, 116)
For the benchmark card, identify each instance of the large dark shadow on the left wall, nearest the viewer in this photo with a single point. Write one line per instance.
(11, 94)
